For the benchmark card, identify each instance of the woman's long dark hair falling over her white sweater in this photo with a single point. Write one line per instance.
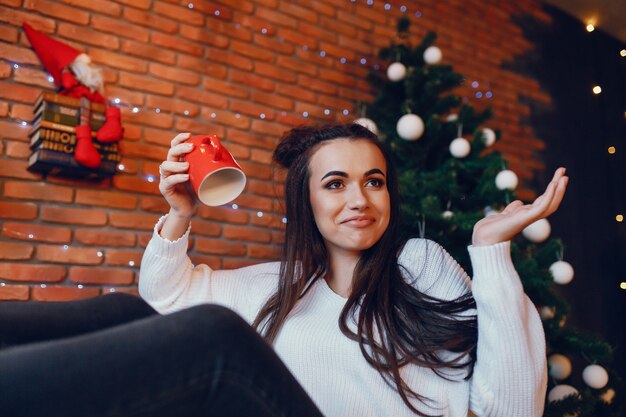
(396, 323)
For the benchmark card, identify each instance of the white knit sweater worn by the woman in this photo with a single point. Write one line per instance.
(509, 376)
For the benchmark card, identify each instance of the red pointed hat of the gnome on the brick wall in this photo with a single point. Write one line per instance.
(54, 55)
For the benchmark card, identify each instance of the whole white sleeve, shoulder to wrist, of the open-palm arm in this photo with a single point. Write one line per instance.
(510, 373)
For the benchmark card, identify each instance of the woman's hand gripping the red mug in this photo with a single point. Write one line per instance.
(174, 179)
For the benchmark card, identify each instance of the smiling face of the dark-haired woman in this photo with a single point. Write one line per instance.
(348, 193)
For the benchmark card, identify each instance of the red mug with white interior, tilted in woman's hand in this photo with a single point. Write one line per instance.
(214, 174)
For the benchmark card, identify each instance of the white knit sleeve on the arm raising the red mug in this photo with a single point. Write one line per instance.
(169, 281)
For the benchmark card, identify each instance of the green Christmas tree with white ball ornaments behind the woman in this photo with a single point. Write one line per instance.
(450, 177)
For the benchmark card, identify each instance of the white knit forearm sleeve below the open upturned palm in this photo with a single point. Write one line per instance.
(510, 374)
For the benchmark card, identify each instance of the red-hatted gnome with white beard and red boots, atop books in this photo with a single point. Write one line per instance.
(77, 77)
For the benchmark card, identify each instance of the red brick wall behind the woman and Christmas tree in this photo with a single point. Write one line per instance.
(237, 59)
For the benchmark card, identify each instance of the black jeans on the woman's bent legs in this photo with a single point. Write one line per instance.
(115, 356)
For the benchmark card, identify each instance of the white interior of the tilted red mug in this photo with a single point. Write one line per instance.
(221, 186)
